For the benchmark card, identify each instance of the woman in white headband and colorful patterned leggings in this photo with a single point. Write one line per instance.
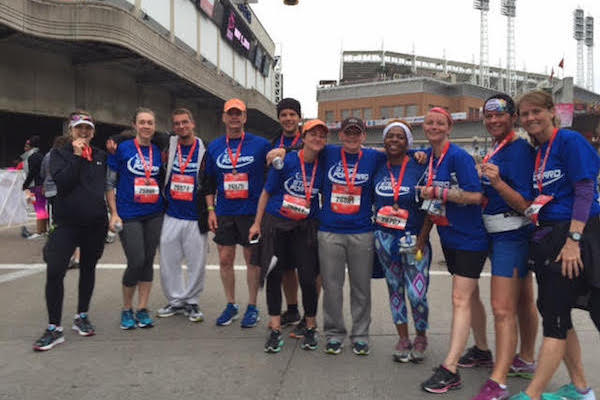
(398, 215)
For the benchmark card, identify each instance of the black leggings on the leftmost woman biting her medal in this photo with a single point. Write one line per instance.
(57, 253)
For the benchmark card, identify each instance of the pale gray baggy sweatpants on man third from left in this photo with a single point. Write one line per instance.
(181, 239)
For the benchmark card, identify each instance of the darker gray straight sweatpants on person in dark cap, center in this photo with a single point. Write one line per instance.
(336, 251)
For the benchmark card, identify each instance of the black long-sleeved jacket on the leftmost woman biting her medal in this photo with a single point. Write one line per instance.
(80, 186)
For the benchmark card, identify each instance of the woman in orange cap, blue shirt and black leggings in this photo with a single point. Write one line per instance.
(287, 219)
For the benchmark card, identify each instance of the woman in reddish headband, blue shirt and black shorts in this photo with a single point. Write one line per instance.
(452, 196)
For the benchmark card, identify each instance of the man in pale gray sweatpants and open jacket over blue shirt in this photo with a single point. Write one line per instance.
(184, 230)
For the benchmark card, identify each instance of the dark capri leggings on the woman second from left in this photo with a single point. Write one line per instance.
(140, 238)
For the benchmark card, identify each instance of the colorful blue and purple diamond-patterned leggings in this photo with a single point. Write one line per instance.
(399, 277)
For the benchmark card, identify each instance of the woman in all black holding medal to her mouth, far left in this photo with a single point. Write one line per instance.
(79, 171)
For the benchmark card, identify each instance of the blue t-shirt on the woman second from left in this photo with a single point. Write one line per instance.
(128, 165)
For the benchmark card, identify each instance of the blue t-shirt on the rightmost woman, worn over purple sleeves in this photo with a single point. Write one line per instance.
(572, 159)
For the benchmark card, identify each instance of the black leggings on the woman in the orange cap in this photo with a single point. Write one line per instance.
(305, 256)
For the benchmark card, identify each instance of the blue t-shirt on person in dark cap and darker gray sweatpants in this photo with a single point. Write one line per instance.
(333, 170)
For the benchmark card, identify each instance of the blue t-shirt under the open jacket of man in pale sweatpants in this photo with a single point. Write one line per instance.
(182, 209)
